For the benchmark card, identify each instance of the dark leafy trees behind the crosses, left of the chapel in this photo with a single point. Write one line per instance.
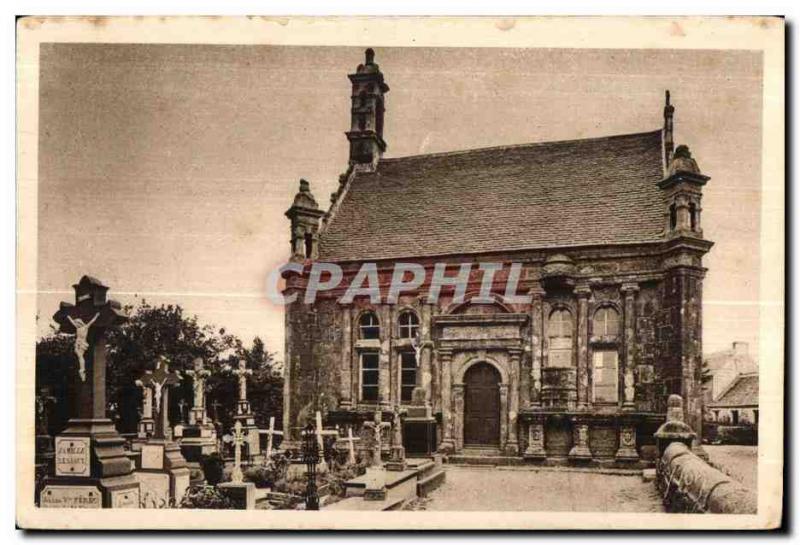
(134, 347)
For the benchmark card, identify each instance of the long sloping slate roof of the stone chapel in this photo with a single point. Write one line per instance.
(532, 196)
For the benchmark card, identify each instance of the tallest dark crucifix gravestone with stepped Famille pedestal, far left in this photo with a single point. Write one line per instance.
(91, 467)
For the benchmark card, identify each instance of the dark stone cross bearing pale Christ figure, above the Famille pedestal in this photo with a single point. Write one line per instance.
(89, 319)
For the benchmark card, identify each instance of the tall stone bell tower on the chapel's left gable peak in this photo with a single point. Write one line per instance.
(366, 125)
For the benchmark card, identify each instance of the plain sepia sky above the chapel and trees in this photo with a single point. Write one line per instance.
(165, 170)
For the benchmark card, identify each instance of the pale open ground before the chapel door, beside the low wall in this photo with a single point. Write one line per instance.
(509, 489)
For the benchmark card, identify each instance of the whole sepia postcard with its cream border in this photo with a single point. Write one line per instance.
(400, 273)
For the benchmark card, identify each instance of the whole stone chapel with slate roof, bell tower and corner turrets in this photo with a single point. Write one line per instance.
(608, 232)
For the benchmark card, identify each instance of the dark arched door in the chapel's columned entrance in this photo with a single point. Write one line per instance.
(482, 406)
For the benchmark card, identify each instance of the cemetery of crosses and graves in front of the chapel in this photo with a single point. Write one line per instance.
(190, 460)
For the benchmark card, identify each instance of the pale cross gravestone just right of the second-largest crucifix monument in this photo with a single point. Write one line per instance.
(199, 436)
